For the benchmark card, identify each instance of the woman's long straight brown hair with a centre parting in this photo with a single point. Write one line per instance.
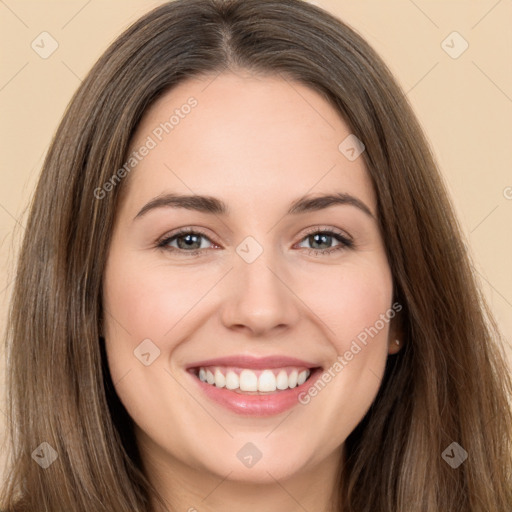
(449, 384)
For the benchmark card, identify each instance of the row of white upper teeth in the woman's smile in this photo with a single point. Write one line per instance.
(268, 381)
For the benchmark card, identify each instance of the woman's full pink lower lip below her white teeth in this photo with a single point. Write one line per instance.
(257, 405)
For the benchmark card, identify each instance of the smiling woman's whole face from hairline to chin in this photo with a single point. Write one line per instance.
(219, 305)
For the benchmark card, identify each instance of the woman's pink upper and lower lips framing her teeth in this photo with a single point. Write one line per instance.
(255, 405)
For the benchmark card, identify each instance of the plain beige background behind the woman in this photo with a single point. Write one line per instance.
(464, 104)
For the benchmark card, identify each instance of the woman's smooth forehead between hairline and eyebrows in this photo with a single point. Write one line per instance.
(245, 138)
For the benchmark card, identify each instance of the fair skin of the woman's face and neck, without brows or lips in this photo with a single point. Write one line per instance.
(257, 143)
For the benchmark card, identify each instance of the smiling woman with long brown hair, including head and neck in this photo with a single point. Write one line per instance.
(256, 372)
